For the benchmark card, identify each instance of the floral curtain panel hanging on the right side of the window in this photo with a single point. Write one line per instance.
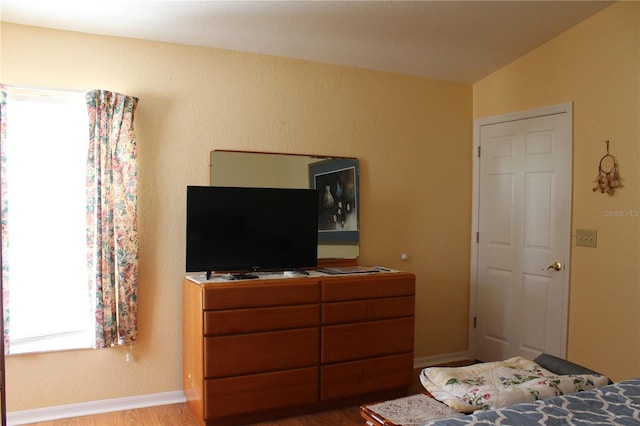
(112, 237)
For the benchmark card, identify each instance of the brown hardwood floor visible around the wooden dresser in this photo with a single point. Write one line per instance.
(179, 415)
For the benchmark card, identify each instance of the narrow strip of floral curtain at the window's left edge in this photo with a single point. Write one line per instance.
(3, 209)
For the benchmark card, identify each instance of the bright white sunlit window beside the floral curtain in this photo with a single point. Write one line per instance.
(46, 153)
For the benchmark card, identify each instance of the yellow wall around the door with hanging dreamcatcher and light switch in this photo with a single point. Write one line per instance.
(595, 65)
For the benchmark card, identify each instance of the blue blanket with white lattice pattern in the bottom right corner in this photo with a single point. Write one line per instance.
(616, 404)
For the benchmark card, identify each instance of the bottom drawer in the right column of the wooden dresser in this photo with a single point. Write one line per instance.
(366, 376)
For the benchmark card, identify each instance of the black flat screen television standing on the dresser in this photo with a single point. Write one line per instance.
(251, 229)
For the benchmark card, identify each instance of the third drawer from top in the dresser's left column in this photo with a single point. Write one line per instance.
(259, 352)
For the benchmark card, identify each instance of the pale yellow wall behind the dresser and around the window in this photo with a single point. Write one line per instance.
(412, 136)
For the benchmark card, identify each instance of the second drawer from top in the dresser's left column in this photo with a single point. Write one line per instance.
(260, 319)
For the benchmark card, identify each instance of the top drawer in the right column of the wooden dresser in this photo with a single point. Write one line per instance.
(369, 287)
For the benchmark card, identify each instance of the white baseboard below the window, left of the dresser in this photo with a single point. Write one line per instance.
(93, 407)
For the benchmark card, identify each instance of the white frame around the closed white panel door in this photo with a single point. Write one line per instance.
(473, 283)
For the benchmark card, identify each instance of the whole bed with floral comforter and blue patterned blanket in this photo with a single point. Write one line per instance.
(560, 393)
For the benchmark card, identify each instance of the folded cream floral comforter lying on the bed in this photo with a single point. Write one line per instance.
(491, 385)
